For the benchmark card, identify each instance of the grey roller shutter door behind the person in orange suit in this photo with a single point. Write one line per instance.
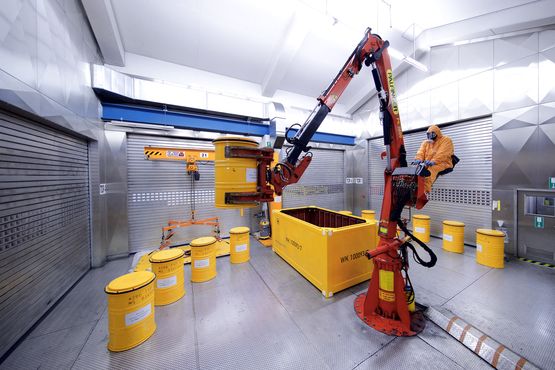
(464, 194)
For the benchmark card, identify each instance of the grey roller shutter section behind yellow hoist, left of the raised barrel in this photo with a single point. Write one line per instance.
(159, 191)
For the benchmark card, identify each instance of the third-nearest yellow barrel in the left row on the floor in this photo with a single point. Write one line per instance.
(203, 259)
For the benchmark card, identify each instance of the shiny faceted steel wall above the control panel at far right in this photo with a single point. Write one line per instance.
(523, 123)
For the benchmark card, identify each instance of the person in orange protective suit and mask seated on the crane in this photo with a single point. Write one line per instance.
(439, 151)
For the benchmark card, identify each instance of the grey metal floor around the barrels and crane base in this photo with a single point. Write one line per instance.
(263, 315)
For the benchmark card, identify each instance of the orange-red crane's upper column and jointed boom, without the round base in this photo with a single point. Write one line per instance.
(372, 52)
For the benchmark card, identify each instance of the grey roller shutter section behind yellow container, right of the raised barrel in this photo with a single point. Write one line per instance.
(323, 183)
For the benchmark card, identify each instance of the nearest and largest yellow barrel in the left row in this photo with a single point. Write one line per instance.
(130, 310)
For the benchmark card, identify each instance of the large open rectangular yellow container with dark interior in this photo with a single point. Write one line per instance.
(326, 247)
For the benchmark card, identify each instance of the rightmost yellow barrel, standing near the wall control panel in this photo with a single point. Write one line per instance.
(490, 248)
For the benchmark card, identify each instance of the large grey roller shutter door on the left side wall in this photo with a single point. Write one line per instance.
(44, 221)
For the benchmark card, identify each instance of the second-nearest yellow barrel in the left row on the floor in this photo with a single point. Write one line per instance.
(167, 265)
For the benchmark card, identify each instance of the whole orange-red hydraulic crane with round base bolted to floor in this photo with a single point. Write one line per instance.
(385, 307)
